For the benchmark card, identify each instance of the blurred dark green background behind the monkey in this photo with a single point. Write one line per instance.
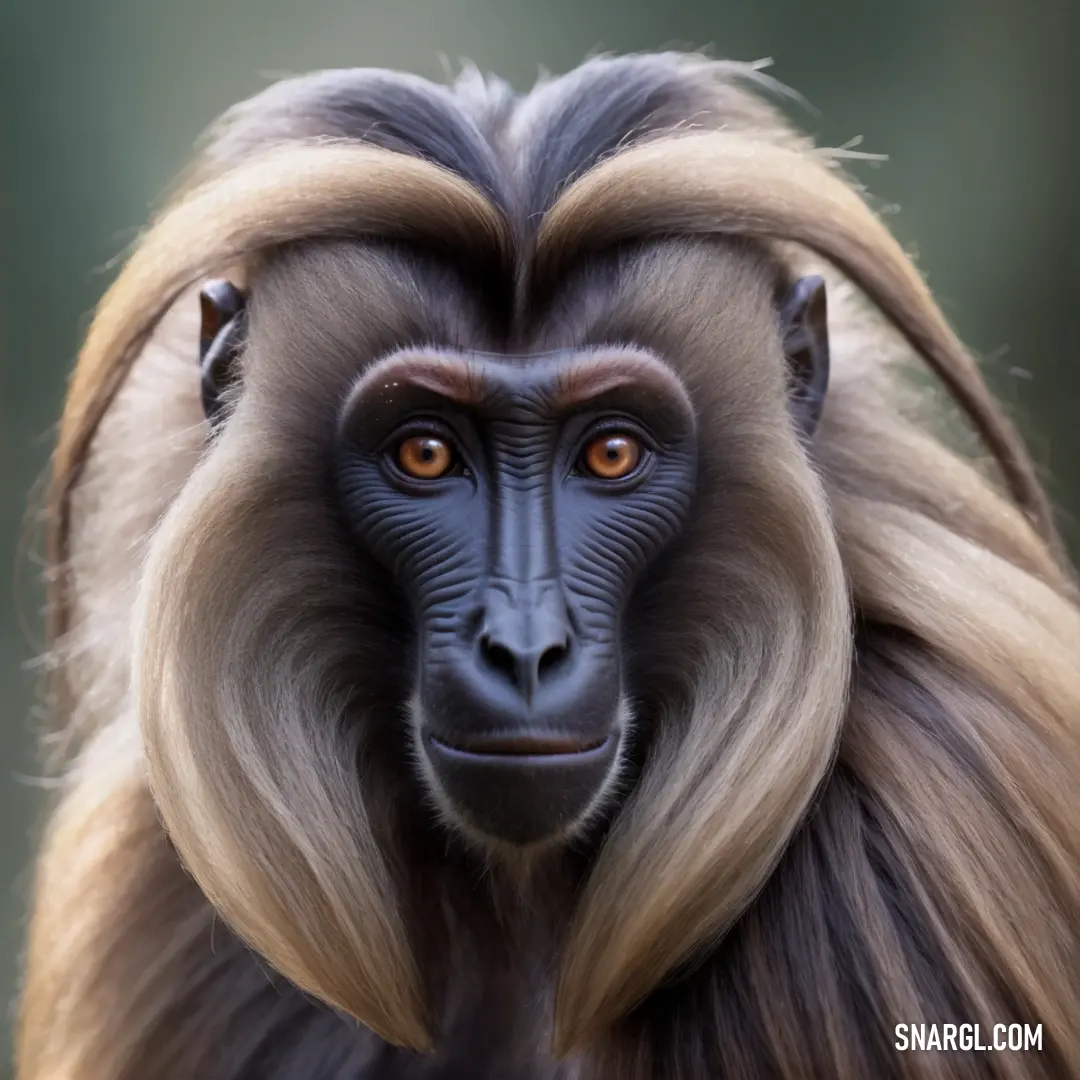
(975, 102)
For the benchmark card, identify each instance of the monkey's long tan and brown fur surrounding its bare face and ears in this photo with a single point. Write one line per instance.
(854, 681)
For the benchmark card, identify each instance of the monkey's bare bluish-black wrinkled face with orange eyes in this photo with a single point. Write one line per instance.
(517, 503)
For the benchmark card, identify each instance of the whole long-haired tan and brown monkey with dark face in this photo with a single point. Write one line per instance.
(519, 612)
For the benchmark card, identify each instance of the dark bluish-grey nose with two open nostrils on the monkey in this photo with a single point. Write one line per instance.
(525, 638)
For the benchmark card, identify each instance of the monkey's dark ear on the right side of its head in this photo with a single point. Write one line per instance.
(805, 328)
